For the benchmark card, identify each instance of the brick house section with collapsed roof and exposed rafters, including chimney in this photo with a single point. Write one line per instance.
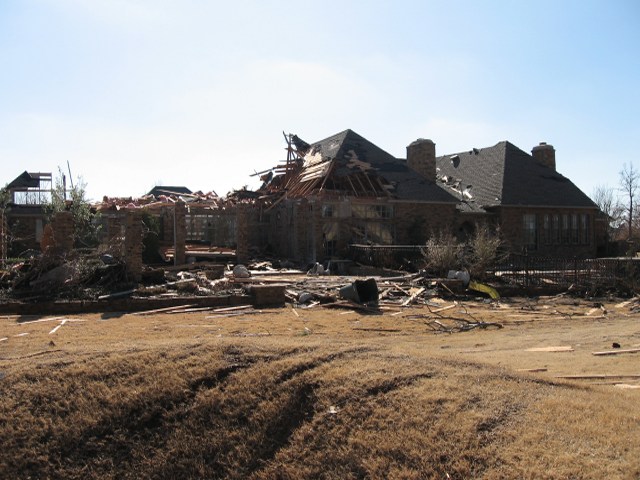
(345, 190)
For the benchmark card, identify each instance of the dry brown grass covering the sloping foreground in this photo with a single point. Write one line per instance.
(318, 395)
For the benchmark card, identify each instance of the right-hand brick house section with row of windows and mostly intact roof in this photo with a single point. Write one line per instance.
(538, 210)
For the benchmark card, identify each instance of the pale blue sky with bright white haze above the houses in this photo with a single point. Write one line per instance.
(134, 93)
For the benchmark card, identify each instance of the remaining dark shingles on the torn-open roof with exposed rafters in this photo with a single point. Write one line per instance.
(350, 151)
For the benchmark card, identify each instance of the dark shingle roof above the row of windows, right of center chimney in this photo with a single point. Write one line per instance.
(505, 175)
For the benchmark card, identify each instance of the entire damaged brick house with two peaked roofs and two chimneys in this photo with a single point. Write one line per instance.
(345, 190)
